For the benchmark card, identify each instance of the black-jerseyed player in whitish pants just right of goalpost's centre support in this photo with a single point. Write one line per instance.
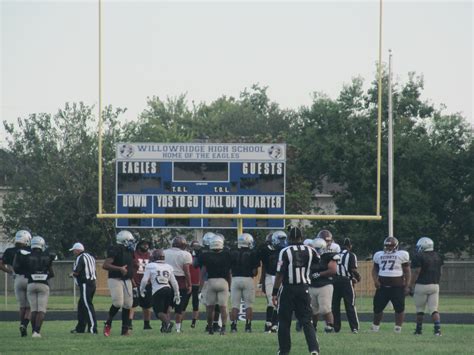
(244, 264)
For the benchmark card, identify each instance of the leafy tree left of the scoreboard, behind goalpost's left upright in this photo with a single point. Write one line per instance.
(53, 191)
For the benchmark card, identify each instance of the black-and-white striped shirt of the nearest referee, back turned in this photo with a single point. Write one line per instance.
(294, 263)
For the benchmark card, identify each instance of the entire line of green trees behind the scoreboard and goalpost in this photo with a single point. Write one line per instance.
(50, 163)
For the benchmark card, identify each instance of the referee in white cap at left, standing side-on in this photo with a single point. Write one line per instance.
(84, 274)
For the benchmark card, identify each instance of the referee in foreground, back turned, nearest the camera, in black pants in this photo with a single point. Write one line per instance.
(290, 291)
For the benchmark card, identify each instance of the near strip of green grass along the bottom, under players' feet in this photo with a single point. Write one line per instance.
(456, 339)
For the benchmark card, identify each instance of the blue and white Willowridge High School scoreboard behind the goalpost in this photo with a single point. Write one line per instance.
(156, 178)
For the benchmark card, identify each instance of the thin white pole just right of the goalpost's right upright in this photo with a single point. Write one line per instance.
(390, 148)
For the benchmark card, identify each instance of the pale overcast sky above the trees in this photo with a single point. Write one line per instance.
(49, 50)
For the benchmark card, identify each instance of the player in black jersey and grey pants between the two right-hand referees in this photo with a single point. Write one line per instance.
(321, 288)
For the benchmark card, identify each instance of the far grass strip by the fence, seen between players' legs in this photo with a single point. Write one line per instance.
(448, 304)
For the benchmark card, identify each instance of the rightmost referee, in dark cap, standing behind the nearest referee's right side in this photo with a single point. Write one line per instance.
(343, 288)
